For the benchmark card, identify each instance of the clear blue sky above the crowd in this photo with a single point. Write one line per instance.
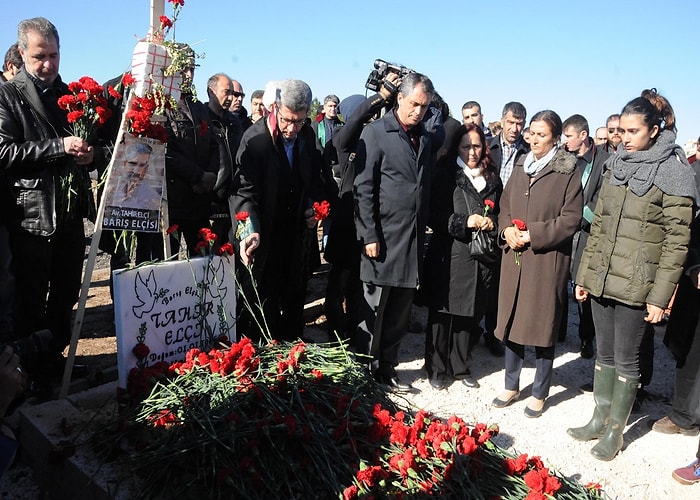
(588, 57)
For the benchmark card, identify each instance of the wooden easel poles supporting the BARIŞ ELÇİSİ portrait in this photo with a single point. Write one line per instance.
(157, 10)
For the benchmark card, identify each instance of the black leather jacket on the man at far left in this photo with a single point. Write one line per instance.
(31, 152)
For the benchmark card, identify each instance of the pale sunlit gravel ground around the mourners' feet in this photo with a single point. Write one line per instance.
(641, 471)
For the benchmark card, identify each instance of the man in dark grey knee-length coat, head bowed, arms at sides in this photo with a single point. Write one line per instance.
(391, 190)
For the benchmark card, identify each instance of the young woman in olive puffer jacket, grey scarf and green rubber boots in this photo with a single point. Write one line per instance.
(634, 258)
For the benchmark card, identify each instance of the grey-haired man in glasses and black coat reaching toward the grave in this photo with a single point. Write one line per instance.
(278, 176)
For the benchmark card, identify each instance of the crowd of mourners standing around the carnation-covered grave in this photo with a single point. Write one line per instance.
(488, 227)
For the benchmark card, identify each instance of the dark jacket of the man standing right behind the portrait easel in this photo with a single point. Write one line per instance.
(192, 150)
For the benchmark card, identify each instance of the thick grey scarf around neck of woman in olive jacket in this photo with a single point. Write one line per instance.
(663, 165)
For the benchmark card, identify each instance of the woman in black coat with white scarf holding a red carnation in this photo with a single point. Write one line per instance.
(456, 287)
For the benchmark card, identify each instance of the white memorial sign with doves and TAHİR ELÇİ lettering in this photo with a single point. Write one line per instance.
(162, 306)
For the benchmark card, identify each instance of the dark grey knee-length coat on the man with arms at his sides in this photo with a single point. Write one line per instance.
(392, 190)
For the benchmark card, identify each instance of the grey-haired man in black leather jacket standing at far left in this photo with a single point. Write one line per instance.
(47, 240)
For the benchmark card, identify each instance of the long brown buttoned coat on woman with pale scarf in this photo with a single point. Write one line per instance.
(533, 295)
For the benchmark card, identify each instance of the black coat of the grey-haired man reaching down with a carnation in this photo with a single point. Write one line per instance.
(276, 197)
